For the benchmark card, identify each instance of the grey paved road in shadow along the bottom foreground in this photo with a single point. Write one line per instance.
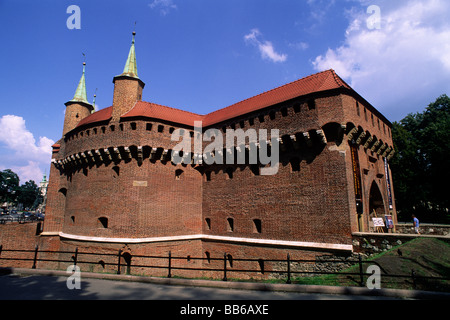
(38, 287)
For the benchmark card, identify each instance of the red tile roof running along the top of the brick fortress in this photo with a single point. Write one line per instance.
(322, 81)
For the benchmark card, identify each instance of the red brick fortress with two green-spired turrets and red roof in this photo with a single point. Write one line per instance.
(113, 182)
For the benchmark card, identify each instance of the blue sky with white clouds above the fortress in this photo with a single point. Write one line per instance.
(202, 55)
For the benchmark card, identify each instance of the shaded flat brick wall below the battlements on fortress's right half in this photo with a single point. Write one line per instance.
(305, 205)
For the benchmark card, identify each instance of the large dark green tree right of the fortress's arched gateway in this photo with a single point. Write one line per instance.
(420, 166)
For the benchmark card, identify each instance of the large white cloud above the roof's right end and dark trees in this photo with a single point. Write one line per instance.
(408, 56)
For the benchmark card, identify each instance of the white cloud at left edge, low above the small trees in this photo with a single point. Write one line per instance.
(29, 155)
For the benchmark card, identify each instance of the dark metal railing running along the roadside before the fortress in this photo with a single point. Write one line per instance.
(223, 265)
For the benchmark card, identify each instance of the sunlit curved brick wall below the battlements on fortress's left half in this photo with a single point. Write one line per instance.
(138, 201)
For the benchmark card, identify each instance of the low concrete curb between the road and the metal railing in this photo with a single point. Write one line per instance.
(389, 293)
